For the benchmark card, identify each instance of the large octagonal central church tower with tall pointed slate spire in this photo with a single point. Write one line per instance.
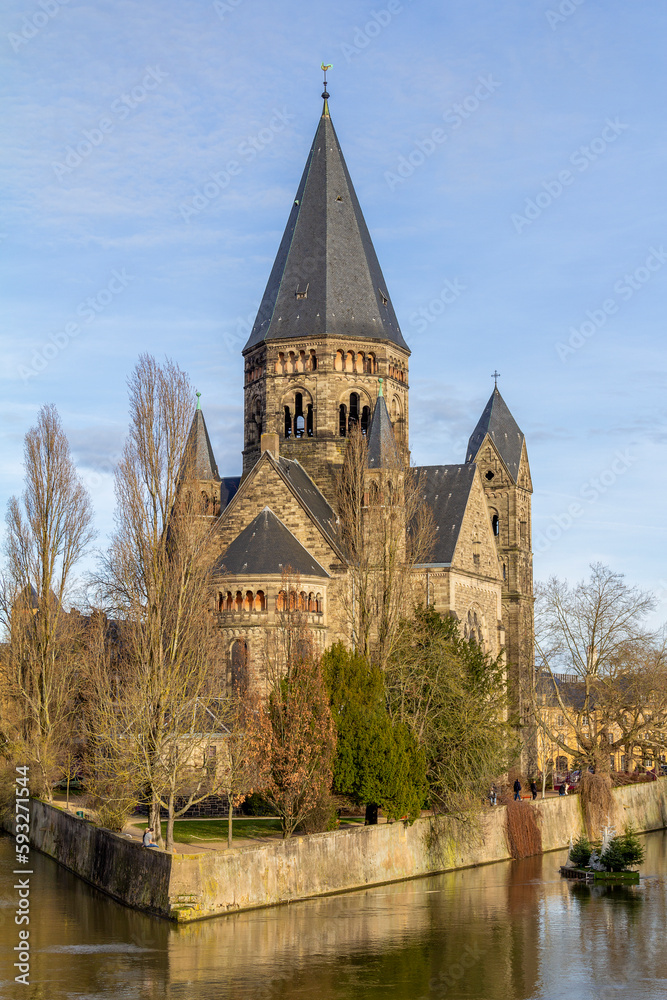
(326, 331)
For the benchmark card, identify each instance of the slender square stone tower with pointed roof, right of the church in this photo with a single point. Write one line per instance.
(498, 447)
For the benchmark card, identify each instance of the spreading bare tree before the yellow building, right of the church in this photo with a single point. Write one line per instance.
(605, 670)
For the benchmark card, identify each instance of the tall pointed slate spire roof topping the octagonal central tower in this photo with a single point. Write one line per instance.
(326, 256)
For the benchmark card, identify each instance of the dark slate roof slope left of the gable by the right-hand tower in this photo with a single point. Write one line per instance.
(446, 489)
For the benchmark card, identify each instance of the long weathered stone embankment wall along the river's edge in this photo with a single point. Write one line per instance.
(186, 887)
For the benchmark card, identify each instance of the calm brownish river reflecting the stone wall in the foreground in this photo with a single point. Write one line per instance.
(507, 931)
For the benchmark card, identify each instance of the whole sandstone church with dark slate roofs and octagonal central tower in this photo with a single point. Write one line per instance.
(326, 354)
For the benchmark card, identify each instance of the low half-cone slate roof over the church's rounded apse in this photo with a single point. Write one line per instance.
(266, 546)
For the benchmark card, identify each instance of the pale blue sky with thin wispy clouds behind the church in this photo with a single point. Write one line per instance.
(510, 161)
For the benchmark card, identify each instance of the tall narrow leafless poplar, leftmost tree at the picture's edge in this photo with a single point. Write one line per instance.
(48, 531)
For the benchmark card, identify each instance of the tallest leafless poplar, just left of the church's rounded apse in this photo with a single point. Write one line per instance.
(155, 578)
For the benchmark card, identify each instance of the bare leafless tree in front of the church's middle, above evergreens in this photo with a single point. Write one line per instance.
(387, 531)
